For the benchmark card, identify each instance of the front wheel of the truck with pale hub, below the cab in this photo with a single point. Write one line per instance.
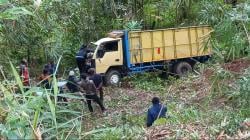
(113, 77)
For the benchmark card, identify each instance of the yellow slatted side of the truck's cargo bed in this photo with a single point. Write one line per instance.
(169, 44)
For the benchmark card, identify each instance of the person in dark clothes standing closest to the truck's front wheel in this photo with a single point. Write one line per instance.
(97, 79)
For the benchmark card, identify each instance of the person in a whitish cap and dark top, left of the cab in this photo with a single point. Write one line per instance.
(72, 82)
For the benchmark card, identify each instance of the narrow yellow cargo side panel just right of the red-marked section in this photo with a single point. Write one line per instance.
(169, 44)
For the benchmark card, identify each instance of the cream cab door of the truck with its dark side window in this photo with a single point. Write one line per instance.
(108, 54)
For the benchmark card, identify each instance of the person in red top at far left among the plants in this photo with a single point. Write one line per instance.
(24, 72)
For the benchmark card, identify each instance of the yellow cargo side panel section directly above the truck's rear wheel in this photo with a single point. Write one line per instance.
(182, 43)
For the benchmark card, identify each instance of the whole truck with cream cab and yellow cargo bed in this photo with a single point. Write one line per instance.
(175, 50)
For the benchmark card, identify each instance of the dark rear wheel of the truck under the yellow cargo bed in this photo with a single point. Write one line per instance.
(182, 68)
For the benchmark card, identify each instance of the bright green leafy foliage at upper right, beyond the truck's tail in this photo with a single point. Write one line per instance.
(230, 28)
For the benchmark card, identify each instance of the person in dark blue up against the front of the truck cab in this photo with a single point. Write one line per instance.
(81, 57)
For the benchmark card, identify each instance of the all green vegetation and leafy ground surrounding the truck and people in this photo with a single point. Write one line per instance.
(213, 102)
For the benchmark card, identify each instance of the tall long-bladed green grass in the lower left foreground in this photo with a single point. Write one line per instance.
(26, 115)
